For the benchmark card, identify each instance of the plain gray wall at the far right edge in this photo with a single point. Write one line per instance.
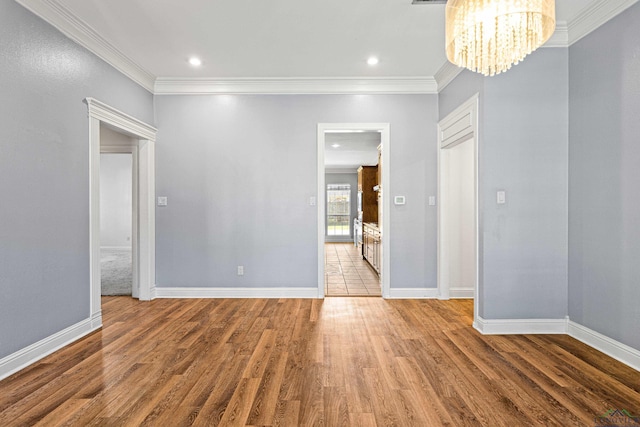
(604, 180)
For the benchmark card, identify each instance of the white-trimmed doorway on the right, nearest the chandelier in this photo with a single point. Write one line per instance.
(458, 237)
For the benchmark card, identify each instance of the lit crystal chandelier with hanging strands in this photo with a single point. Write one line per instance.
(489, 36)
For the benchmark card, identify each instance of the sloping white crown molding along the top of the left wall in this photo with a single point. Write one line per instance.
(71, 26)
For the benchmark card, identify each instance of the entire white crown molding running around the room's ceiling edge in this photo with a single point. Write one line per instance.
(53, 12)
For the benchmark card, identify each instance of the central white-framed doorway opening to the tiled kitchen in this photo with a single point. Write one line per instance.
(342, 149)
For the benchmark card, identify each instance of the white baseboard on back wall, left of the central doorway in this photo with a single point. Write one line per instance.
(235, 292)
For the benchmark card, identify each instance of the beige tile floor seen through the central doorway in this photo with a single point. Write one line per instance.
(346, 273)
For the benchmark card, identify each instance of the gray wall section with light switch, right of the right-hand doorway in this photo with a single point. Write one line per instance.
(523, 149)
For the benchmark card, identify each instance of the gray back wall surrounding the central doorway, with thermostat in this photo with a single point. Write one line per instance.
(238, 172)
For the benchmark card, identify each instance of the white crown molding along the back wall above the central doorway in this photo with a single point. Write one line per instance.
(296, 86)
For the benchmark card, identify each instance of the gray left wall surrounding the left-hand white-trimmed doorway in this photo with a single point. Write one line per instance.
(44, 173)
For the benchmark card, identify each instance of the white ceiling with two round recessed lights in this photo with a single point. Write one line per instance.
(275, 38)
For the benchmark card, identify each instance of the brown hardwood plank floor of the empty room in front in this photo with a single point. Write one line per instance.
(337, 362)
